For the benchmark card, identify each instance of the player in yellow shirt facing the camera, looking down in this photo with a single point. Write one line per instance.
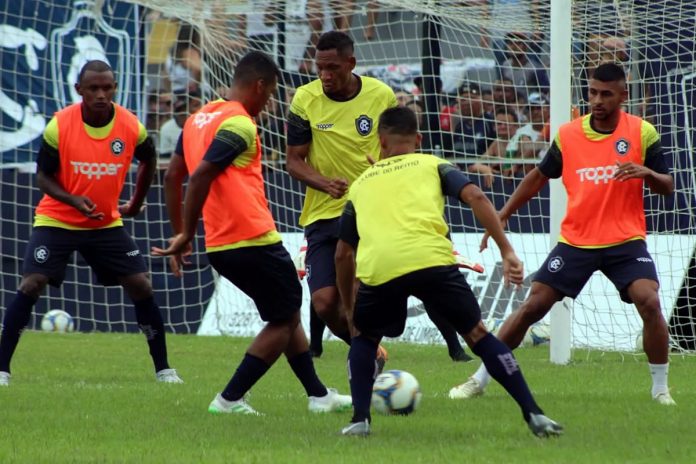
(331, 130)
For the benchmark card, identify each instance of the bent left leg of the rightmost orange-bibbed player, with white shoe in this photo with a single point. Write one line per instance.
(552, 282)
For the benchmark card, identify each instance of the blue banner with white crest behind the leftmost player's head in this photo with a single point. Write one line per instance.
(44, 45)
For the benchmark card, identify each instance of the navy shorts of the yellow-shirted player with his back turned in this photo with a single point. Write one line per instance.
(381, 310)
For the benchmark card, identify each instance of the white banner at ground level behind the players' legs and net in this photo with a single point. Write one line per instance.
(600, 318)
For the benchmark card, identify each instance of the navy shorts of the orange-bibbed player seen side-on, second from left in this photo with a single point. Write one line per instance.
(266, 274)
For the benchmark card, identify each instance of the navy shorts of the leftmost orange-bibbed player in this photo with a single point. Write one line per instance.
(111, 253)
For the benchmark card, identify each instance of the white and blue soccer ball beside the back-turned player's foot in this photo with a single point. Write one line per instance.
(396, 392)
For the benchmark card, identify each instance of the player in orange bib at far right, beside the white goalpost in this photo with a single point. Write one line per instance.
(604, 158)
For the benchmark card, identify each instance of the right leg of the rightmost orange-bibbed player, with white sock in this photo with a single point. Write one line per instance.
(632, 270)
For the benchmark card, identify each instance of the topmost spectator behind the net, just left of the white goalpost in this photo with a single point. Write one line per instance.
(522, 67)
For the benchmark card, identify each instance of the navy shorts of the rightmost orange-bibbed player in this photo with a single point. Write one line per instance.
(568, 268)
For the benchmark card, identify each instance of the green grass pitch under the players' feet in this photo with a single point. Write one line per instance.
(92, 398)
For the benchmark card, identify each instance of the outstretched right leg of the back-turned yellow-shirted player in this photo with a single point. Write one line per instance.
(445, 289)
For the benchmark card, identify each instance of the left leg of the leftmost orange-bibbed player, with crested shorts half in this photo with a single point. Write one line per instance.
(45, 259)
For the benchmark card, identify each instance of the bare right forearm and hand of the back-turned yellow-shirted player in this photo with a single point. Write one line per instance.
(513, 270)
